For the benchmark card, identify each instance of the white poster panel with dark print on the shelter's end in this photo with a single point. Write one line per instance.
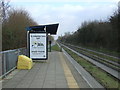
(38, 48)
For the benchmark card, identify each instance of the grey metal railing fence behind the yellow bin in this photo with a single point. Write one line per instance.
(8, 60)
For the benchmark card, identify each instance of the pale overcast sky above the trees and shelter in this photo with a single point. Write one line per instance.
(68, 13)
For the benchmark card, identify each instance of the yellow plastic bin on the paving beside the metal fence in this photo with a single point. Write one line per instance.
(24, 62)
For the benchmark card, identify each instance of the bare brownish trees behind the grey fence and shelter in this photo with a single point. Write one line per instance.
(14, 23)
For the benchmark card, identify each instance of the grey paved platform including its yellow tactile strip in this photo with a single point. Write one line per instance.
(54, 73)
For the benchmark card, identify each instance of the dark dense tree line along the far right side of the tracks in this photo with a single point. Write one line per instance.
(98, 34)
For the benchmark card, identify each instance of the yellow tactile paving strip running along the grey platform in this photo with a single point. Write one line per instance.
(69, 77)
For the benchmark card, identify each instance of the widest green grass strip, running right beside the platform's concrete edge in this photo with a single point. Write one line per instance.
(101, 76)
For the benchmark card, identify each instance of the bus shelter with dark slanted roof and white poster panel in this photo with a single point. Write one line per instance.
(37, 40)
